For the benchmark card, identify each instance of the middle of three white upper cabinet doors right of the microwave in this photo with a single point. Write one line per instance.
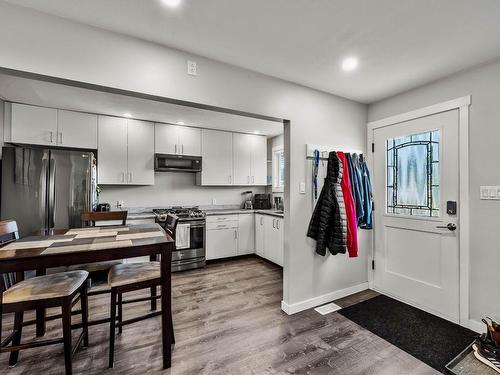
(242, 158)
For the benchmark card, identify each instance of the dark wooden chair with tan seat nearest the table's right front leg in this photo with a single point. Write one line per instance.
(129, 277)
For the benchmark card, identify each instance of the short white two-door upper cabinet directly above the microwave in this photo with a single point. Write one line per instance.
(180, 140)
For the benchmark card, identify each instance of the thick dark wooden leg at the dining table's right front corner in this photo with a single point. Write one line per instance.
(166, 308)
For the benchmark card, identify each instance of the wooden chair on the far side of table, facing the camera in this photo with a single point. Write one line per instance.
(89, 219)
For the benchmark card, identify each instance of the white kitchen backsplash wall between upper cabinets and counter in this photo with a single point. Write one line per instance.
(173, 189)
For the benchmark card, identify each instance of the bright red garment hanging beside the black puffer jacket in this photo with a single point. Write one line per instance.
(352, 222)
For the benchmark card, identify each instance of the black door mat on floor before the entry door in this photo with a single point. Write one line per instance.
(431, 339)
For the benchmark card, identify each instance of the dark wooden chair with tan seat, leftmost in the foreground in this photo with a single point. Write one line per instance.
(17, 295)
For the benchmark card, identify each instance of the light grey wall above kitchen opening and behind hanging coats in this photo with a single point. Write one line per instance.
(39, 43)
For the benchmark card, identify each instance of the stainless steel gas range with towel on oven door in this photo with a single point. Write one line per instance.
(190, 237)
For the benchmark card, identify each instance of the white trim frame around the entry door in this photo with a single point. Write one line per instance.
(462, 104)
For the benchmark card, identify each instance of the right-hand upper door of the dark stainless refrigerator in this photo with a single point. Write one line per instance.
(70, 182)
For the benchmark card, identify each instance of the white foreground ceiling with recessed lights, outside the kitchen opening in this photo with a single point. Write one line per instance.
(400, 44)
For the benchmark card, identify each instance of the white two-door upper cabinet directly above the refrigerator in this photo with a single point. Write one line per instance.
(50, 127)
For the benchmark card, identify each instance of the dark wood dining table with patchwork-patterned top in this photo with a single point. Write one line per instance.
(68, 247)
